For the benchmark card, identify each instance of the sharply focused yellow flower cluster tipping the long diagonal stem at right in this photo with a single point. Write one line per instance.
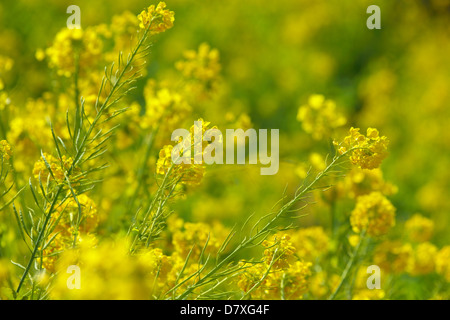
(368, 152)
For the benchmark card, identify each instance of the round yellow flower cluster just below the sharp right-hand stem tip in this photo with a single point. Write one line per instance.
(374, 213)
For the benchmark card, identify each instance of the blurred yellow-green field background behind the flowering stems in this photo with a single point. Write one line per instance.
(273, 56)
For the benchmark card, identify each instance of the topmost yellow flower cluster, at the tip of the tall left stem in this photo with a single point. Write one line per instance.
(157, 19)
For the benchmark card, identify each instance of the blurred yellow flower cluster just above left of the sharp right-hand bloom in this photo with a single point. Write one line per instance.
(319, 117)
